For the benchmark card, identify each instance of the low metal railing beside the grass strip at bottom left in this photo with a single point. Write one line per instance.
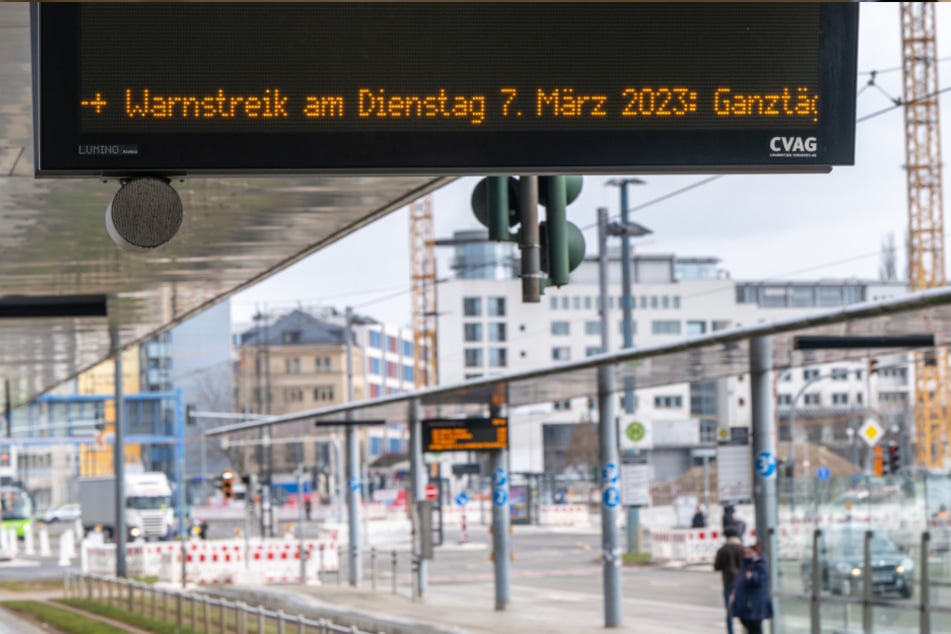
(199, 612)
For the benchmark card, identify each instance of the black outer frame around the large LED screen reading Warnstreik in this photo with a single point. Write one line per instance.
(63, 149)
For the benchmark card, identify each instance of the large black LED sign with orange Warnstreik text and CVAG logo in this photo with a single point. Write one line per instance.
(443, 88)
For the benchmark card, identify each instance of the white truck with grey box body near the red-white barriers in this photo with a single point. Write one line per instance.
(148, 505)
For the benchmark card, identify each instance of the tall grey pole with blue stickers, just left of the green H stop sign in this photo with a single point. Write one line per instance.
(610, 457)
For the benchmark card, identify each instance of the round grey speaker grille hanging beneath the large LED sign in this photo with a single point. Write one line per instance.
(144, 214)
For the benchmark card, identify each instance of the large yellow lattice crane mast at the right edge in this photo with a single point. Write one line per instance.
(926, 267)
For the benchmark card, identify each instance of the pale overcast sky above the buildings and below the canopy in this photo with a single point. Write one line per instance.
(776, 227)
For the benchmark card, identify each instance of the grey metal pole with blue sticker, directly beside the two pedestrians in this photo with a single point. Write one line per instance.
(764, 454)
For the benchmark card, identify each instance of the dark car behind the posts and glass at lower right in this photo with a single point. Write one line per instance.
(842, 563)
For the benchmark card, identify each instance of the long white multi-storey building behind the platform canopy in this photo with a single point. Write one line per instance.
(484, 328)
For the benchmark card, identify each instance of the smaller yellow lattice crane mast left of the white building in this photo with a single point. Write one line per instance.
(423, 274)
